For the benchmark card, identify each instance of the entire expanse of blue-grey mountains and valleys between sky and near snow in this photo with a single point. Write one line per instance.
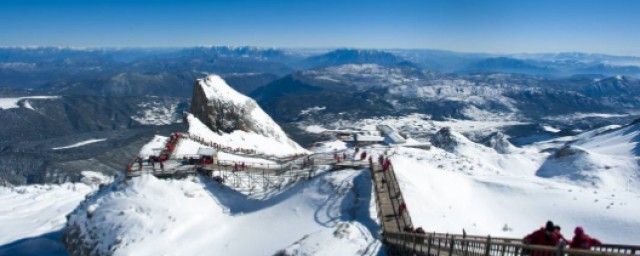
(131, 90)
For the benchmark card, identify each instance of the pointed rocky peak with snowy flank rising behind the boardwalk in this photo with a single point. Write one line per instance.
(224, 116)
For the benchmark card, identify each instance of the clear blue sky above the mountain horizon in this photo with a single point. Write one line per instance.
(471, 26)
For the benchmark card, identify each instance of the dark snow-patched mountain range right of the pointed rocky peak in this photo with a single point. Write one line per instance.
(368, 90)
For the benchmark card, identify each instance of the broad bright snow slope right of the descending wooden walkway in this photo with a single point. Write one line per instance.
(465, 185)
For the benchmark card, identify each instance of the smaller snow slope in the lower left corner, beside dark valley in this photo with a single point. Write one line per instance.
(36, 210)
